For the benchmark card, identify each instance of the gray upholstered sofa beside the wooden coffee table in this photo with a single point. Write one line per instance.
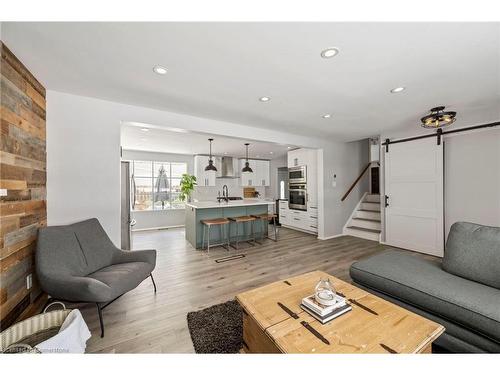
(462, 292)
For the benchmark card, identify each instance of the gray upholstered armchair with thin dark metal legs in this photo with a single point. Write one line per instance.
(79, 263)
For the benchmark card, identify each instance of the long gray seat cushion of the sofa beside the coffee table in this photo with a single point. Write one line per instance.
(424, 284)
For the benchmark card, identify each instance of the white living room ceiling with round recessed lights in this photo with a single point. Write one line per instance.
(219, 70)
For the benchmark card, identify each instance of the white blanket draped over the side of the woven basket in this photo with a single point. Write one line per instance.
(72, 336)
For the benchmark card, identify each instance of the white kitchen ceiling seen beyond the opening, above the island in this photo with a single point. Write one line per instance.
(161, 140)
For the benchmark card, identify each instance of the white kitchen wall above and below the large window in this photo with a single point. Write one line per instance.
(159, 218)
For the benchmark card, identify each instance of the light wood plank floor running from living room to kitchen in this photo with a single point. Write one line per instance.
(190, 280)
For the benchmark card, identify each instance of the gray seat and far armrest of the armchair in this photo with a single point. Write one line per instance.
(122, 277)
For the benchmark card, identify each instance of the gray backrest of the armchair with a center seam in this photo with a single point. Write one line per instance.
(77, 249)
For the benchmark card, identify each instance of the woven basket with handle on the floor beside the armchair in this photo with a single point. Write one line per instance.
(25, 335)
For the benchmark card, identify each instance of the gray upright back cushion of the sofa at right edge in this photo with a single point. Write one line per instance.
(473, 252)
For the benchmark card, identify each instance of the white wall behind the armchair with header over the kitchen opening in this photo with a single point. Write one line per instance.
(83, 153)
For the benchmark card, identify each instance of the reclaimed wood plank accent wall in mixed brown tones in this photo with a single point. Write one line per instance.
(23, 175)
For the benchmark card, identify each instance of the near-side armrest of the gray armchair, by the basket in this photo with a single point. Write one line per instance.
(75, 288)
